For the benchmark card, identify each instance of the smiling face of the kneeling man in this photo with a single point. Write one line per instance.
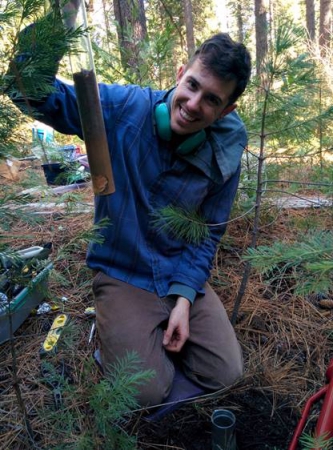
(200, 98)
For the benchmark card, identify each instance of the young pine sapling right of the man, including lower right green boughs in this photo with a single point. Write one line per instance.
(284, 110)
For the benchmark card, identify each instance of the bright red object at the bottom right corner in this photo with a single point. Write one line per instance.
(325, 420)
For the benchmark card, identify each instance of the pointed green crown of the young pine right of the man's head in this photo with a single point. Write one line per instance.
(290, 93)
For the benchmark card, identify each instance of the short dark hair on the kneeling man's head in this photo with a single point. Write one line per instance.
(226, 59)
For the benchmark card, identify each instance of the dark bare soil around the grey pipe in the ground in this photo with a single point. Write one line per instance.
(189, 428)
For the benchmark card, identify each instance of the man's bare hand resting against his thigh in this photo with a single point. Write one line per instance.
(178, 329)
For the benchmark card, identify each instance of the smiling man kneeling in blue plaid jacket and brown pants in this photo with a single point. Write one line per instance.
(179, 149)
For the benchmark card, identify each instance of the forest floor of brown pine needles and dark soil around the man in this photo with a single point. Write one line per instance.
(287, 342)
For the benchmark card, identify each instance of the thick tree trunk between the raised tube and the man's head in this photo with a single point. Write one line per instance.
(131, 29)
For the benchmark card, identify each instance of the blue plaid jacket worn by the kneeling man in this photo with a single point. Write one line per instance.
(149, 175)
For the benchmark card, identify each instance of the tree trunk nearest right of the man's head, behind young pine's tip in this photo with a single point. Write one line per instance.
(260, 9)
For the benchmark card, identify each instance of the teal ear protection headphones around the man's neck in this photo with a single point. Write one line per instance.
(162, 120)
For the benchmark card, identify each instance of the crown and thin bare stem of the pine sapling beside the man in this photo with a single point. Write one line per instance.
(284, 98)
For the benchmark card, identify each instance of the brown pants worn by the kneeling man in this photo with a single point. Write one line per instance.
(132, 319)
